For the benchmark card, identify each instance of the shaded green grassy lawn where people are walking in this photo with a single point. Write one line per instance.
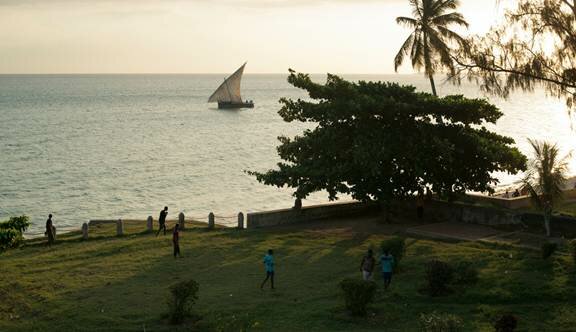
(111, 283)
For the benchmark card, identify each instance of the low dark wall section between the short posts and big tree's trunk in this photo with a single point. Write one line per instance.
(310, 213)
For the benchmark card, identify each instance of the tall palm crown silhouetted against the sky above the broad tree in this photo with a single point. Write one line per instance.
(429, 43)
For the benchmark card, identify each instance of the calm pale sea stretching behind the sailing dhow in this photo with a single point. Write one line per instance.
(123, 146)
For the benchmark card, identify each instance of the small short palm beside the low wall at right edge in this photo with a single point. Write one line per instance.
(546, 178)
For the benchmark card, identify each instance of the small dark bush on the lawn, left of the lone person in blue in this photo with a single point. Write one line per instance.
(184, 295)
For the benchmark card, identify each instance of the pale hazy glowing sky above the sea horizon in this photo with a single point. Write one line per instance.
(209, 36)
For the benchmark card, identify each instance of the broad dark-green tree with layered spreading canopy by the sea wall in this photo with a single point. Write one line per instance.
(379, 141)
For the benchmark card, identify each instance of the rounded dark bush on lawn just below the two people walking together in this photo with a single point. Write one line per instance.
(358, 294)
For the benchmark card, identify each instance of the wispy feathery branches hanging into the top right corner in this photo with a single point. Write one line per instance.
(534, 45)
